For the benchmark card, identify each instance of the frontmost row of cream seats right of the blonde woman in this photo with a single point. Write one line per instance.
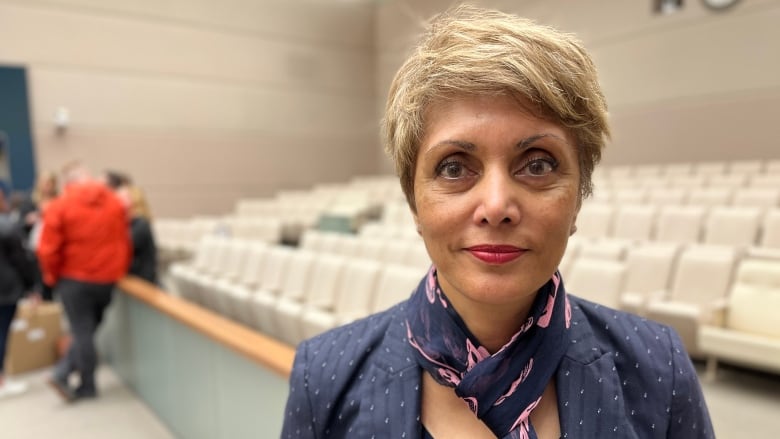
(720, 299)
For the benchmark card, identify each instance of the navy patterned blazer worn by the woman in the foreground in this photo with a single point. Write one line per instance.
(622, 377)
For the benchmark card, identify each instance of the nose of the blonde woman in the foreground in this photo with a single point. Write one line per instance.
(498, 201)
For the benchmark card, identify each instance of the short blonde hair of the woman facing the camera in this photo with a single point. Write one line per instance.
(473, 51)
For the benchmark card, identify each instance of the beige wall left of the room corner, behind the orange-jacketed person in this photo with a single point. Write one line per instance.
(200, 101)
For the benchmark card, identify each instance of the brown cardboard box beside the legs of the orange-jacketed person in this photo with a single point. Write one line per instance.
(32, 342)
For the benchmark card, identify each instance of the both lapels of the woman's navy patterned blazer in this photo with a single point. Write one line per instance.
(589, 389)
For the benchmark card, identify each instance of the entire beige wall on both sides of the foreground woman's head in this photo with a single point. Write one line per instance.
(206, 101)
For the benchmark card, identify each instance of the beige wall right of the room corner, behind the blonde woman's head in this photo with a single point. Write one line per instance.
(691, 86)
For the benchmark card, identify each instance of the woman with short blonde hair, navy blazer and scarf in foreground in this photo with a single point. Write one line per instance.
(495, 125)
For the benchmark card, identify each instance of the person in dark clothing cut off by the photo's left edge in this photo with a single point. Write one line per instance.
(17, 276)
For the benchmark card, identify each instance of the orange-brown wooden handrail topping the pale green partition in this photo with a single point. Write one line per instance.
(257, 347)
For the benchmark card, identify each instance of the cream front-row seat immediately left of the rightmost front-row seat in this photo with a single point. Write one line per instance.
(701, 277)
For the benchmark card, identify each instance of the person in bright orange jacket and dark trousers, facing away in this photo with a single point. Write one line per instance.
(84, 249)
